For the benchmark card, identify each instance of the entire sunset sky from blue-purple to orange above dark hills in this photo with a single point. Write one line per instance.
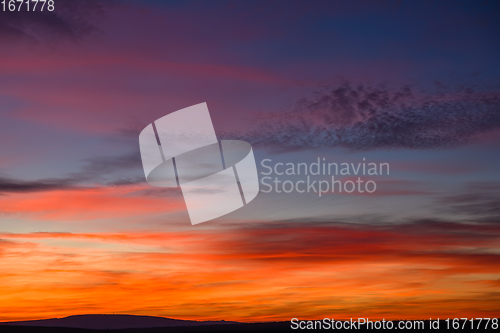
(409, 83)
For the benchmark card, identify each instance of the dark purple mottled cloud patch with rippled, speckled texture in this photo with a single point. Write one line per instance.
(364, 117)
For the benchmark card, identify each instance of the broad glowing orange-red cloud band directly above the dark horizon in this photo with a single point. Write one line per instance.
(262, 271)
